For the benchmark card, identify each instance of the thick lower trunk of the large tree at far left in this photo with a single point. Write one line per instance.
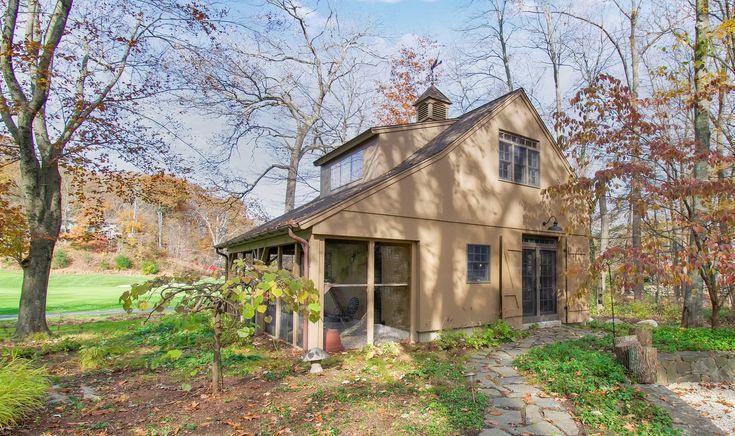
(41, 184)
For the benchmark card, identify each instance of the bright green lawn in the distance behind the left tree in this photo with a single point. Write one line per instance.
(69, 292)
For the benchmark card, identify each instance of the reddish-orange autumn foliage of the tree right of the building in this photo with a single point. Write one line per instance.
(610, 126)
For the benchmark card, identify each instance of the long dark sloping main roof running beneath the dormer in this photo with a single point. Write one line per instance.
(442, 141)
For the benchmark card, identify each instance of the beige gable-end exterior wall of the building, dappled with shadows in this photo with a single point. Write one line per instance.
(459, 200)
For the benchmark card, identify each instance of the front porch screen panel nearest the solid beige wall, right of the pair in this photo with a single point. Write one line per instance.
(392, 320)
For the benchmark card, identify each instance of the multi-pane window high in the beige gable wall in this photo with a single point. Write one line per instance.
(519, 159)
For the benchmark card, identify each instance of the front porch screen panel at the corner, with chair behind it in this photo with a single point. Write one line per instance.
(345, 297)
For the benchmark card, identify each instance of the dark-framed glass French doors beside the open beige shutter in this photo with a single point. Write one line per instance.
(538, 271)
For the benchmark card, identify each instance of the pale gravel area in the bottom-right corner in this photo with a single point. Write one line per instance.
(713, 400)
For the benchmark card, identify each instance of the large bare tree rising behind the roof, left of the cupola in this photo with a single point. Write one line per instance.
(275, 83)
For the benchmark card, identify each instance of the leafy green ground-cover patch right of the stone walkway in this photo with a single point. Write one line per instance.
(585, 373)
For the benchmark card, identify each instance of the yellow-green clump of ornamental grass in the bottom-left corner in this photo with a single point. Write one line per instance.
(22, 390)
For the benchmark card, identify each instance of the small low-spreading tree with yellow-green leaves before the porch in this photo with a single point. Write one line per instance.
(245, 293)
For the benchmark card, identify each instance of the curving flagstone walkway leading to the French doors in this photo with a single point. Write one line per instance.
(516, 407)
